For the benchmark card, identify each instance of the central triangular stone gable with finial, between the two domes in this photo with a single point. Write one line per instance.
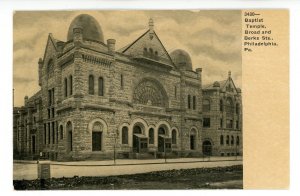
(149, 46)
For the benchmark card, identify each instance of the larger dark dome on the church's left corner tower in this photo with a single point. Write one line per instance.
(90, 27)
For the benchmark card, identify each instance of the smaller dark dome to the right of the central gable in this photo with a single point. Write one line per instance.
(181, 59)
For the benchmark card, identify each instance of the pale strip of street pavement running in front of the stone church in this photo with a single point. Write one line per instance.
(28, 169)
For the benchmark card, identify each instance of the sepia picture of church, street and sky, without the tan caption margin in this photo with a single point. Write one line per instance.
(127, 100)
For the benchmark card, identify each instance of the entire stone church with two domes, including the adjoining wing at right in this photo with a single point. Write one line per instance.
(96, 102)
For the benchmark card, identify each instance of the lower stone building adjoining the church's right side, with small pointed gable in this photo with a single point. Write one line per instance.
(222, 118)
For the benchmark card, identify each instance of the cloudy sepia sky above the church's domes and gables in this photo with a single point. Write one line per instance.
(212, 38)
